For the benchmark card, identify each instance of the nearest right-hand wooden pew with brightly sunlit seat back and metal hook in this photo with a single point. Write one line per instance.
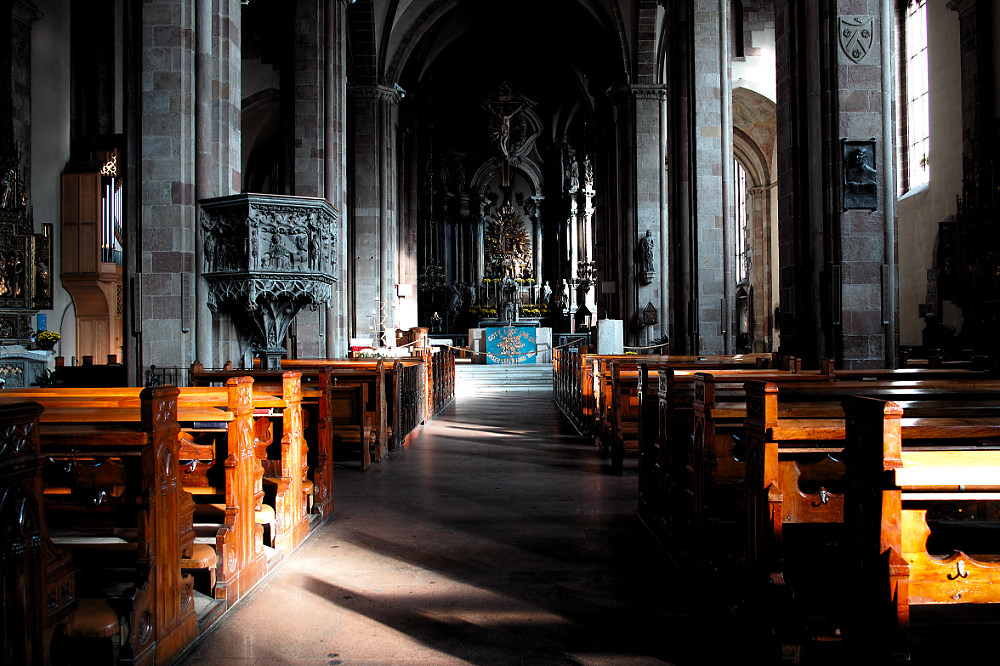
(890, 487)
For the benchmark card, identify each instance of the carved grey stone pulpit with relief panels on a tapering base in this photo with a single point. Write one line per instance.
(266, 257)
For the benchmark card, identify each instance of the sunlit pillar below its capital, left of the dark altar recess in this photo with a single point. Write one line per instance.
(374, 253)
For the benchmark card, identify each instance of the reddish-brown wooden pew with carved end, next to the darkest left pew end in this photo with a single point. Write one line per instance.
(143, 577)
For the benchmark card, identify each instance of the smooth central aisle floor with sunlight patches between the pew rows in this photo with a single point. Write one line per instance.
(497, 537)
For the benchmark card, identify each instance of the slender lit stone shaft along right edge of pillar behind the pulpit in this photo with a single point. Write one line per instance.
(335, 157)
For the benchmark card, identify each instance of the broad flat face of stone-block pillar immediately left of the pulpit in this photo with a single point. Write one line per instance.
(167, 234)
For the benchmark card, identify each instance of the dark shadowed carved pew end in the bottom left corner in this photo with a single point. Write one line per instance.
(37, 577)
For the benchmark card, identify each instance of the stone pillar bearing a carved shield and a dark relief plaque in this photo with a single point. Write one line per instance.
(837, 265)
